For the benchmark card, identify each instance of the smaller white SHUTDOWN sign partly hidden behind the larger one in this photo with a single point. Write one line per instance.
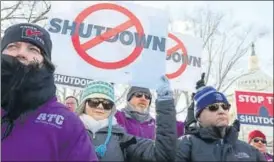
(183, 61)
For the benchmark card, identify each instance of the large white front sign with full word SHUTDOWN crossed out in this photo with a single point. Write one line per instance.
(112, 41)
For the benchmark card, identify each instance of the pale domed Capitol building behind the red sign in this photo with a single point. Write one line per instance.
(256, 81)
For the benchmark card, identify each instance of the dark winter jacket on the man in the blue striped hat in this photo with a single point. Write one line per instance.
(207, 145)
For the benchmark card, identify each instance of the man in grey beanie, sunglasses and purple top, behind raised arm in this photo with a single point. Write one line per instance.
(136, 118)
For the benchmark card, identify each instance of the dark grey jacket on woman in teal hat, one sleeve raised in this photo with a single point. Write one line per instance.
(125, 147)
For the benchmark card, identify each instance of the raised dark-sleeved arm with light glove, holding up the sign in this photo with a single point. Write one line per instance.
(164, 146)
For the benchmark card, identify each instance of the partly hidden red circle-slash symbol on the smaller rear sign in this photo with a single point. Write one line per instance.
(170, 51)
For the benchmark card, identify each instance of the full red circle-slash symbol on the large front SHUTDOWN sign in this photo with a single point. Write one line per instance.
(81, 48)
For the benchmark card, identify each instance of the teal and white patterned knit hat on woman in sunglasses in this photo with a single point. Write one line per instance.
(96, 89)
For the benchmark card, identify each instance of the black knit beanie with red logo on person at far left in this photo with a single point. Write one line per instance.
(30, 33)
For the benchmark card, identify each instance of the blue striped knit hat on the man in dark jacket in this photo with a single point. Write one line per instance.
(207, 96)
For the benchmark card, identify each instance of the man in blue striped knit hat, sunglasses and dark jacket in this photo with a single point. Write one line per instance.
(215, 140)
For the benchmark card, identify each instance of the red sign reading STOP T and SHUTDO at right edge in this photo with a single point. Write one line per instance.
(255, 108)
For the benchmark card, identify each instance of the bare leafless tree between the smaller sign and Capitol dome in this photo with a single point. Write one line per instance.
(225, 43)
